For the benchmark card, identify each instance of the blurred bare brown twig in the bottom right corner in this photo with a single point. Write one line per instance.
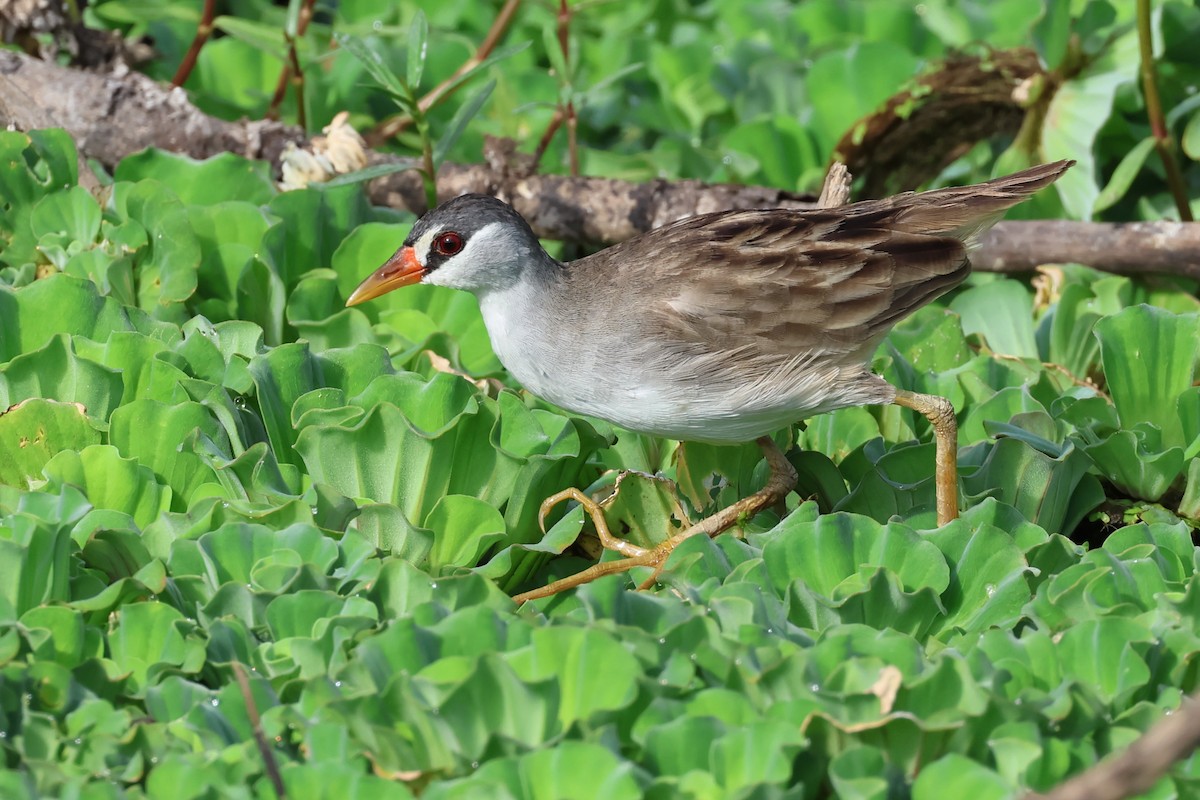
(1142, 765)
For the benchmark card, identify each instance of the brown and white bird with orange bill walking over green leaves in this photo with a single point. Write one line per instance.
(721, 328)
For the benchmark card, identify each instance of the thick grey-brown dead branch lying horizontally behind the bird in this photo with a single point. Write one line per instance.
(115, 115)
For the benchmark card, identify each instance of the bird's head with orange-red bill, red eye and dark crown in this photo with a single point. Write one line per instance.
(473, 243)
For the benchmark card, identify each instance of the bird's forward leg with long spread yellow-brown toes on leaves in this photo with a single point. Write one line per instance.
(782, 482)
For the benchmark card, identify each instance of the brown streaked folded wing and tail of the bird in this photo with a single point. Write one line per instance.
(783, 282)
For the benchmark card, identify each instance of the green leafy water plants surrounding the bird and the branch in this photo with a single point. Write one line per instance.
(208, 462)
